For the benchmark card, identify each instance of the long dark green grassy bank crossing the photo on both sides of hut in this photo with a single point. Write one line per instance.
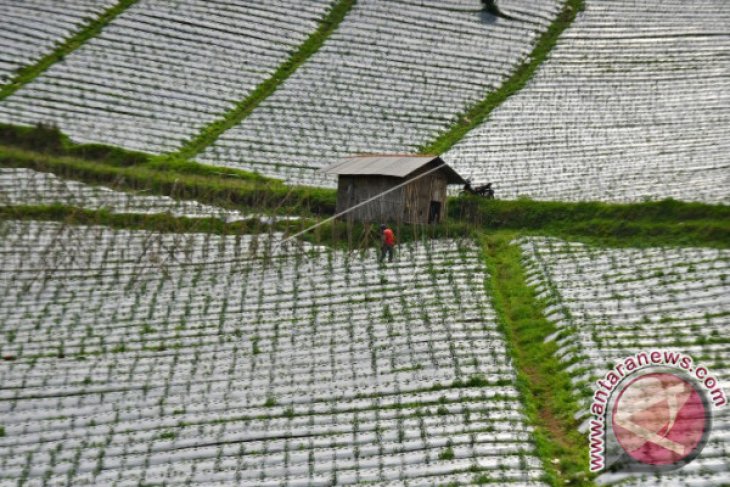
(666, 222)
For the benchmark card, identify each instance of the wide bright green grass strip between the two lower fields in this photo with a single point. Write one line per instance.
(541, 380)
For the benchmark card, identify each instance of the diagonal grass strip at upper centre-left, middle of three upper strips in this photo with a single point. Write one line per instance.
(243, 108)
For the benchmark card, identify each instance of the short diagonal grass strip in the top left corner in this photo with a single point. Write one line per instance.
(28, 73)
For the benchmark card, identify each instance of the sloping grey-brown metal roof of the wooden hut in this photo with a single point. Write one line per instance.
(399, 166)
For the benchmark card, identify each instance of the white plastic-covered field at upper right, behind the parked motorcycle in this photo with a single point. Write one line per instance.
(615, 115)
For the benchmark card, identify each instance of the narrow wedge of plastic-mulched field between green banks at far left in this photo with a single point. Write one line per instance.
(20, 186)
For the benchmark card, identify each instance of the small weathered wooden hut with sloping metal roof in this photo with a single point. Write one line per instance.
(417, 187)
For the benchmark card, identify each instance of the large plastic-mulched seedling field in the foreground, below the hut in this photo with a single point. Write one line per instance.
(135, 357)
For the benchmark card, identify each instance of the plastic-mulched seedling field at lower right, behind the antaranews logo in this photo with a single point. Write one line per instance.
(609, 304)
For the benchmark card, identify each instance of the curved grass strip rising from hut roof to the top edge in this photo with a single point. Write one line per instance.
(479, 112)
